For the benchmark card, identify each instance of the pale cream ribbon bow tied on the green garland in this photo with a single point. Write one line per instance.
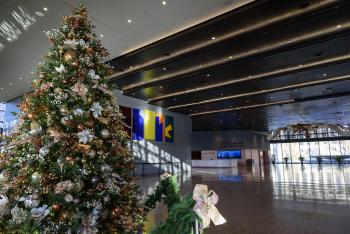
(205, 205)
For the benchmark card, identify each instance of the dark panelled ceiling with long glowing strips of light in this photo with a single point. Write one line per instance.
(259, 52)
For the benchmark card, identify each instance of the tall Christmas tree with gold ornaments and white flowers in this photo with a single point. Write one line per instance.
(67, 168)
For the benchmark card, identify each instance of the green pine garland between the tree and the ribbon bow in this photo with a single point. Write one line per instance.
(181, 216)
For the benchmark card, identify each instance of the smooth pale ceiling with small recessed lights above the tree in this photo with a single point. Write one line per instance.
(151, 20)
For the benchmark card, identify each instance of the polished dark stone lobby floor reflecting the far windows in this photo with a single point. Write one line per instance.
(273, 199)
